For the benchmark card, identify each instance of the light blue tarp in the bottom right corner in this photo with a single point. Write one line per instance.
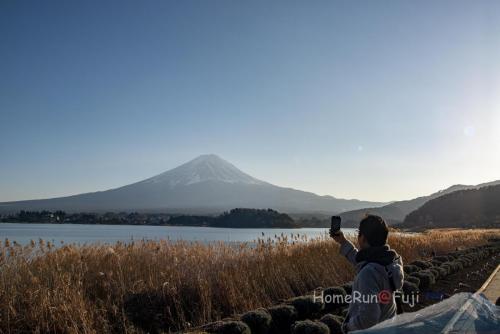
(461, 313)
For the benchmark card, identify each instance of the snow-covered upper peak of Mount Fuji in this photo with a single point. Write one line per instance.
(208, 167)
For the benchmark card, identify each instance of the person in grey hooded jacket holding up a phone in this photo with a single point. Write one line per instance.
(379, 273)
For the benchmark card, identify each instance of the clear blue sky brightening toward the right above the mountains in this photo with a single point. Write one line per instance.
(376, 100)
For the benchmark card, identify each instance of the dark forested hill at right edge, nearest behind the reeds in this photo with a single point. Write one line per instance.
(465, 208)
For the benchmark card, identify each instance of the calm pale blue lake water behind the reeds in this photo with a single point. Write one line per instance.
(80, 233)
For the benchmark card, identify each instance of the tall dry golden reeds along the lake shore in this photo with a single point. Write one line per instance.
(89, 289)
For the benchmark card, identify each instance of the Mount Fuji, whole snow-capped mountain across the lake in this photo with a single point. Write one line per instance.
(205, 184)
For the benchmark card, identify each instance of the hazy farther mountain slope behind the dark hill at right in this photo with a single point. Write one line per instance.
(396, 212)
